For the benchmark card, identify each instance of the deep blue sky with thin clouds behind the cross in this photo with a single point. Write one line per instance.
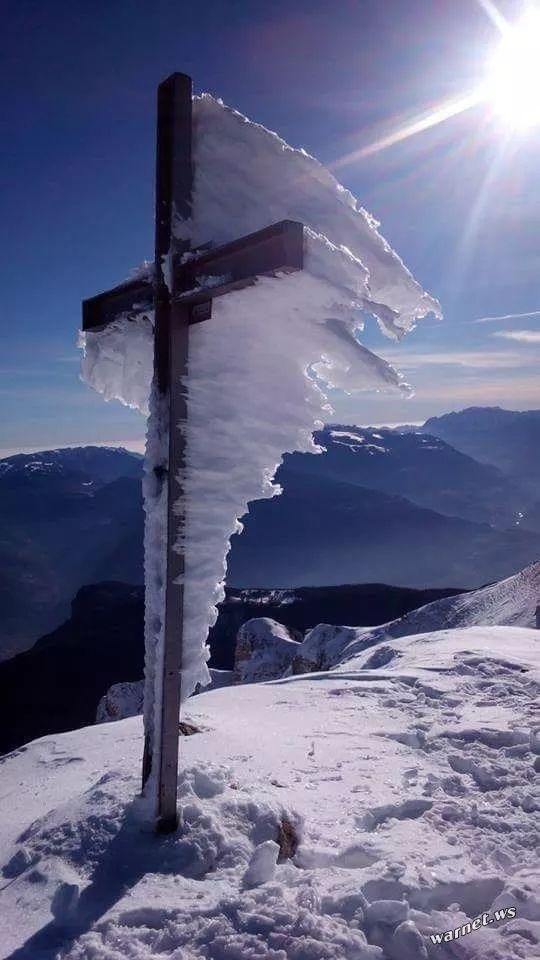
(78, 91)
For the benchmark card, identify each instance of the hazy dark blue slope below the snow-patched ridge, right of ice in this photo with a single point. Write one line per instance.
(324, 532)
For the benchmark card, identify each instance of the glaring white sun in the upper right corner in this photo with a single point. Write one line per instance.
(513, 82)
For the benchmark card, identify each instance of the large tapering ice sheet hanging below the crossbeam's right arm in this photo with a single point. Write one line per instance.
(249, 400)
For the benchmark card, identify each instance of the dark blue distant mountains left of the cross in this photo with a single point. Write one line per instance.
(67, 518)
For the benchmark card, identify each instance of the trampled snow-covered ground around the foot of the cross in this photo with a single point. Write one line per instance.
(397, 793)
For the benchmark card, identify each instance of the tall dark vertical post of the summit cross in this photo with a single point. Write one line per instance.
(173, 199)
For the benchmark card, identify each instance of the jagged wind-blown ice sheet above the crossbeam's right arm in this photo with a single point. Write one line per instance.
(247, 177)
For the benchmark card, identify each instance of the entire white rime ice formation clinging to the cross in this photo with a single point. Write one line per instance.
(260, 367)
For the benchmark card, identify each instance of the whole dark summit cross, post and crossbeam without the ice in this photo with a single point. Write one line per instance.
(179, 297)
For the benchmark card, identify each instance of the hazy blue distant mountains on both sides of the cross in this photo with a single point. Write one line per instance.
(410, 508)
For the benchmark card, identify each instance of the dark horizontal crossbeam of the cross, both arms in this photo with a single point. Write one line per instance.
(217, 271)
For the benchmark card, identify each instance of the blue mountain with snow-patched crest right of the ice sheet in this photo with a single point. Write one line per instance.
(384, 505)
